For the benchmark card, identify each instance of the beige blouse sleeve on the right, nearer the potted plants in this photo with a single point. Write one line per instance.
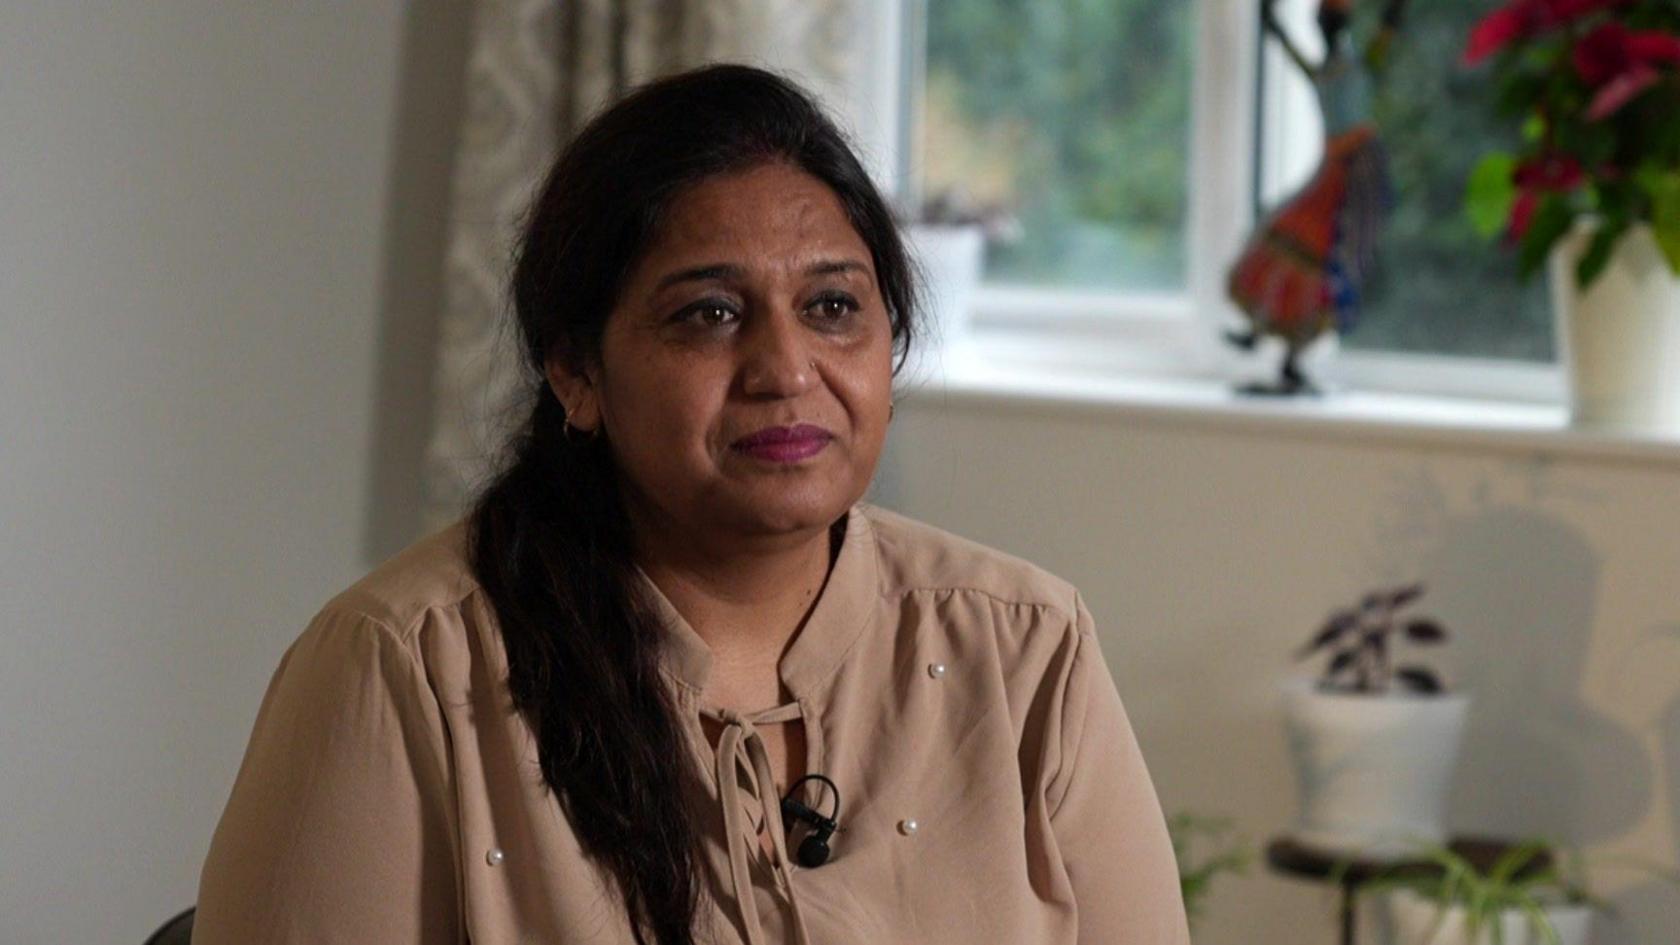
(1106, 816)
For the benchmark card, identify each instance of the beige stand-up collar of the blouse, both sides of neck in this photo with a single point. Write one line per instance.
(836, 621)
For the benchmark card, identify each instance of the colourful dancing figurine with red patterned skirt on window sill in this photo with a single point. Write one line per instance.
(1306, 265)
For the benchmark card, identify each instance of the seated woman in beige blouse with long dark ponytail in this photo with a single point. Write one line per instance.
(574, 717)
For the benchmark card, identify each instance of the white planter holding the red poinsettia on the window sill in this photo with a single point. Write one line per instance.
(1620, 341)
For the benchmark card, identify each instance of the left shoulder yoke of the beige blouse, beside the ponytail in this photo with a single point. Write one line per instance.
(431, 576)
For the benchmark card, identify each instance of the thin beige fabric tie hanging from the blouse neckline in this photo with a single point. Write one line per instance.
(740, 749)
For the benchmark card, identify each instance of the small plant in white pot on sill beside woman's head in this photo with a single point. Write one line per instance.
(948, 238)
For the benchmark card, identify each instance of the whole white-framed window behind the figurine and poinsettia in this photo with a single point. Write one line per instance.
(1133, 142)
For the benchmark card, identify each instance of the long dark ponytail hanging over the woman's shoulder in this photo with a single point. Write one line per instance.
(550, 547)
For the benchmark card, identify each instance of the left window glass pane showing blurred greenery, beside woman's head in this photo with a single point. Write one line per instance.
(1074, 119)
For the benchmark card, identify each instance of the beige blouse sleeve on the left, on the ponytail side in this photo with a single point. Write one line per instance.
(339, 828)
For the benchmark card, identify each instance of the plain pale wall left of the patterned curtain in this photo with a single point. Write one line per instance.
(192, 209)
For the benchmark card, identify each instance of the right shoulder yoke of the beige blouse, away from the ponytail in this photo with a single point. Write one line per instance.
(923, 559)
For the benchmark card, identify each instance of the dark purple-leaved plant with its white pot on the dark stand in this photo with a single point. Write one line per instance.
(1375, 742)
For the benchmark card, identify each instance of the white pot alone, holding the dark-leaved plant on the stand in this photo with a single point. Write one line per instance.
(1373, 769)
